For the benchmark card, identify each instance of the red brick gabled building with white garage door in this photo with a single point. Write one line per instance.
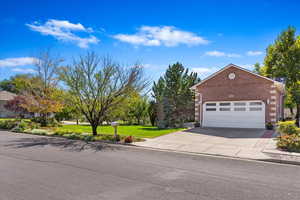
(236, 97)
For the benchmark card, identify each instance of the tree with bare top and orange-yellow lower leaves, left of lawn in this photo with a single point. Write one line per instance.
(43, 96)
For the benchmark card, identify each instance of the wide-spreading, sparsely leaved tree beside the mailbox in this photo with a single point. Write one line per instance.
(99, 85)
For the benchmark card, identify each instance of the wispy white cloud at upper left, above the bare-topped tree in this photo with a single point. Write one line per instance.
(64, 30)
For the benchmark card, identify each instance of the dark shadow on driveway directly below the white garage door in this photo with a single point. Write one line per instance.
(228, 132)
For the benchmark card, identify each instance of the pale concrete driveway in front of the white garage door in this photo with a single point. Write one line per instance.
(241, 143)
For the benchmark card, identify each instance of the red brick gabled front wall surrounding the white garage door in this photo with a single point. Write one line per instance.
(245, 86)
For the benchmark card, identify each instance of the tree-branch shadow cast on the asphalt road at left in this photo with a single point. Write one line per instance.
(71, 145)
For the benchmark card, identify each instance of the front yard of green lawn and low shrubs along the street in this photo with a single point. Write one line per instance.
(126, 133)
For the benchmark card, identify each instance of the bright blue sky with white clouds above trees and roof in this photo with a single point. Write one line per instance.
(203, 35)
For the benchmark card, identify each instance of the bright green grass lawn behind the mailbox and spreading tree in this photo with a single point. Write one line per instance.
(133, 130)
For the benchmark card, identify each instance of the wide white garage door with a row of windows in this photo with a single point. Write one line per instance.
(236, 114)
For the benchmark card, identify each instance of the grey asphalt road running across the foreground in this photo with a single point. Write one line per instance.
(41, 168)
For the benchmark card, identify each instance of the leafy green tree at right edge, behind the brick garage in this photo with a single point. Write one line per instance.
(283, 61)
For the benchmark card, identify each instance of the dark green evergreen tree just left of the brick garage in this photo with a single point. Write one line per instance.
(172, 93)
